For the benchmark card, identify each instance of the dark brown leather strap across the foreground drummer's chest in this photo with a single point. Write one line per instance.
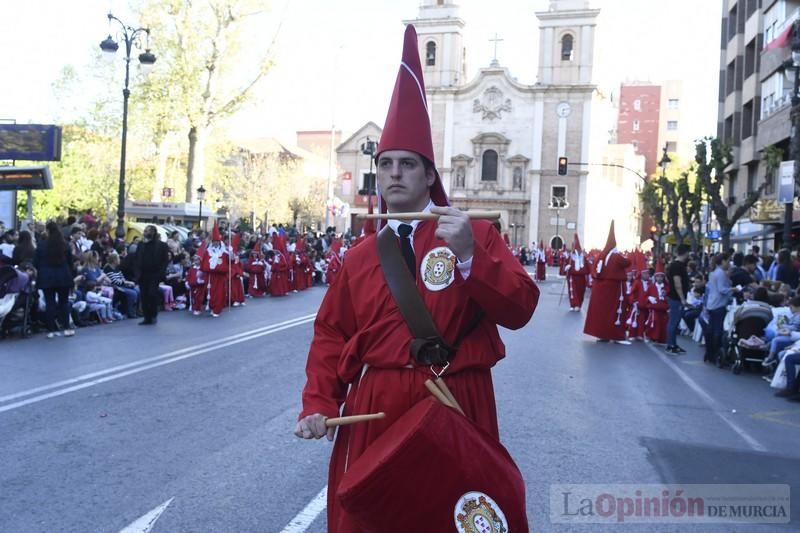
(402, 287)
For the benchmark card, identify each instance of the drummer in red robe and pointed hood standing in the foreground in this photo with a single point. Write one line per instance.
(359, 361)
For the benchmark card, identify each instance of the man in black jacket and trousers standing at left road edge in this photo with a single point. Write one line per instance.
(151, 268)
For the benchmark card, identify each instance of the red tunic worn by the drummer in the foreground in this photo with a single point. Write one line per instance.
(359, 331)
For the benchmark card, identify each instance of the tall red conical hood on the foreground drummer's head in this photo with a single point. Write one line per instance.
(408, 125)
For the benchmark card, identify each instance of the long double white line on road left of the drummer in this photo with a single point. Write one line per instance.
(146, 364)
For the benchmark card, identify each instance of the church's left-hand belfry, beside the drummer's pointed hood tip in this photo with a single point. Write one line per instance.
(441, 43)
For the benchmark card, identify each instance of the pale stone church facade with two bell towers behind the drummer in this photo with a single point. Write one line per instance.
(497, 142)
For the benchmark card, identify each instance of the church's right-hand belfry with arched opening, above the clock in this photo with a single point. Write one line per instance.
(566, 42)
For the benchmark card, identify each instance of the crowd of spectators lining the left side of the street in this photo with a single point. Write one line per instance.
(75, 273)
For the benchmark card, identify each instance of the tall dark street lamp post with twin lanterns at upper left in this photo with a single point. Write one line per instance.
(131, 36)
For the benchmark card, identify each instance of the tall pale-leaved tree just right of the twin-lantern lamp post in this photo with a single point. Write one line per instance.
(202, 47)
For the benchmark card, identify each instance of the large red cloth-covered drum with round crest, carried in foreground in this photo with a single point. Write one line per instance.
(435, 471)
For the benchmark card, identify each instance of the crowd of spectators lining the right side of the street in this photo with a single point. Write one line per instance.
(721, 289)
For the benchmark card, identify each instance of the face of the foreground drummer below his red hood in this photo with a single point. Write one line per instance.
(403, 181)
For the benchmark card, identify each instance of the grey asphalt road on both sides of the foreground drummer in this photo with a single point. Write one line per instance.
(192, 419)
